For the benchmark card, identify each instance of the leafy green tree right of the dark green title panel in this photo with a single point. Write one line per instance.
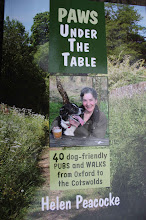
(122, 31)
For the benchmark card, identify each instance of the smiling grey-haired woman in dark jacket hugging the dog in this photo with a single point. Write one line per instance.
(95, 122)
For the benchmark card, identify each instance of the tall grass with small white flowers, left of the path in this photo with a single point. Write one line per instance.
(22, 138)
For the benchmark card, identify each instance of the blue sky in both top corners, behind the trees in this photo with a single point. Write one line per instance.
(25, 10)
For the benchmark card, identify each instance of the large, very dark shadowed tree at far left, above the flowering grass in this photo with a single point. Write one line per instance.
(21, 83)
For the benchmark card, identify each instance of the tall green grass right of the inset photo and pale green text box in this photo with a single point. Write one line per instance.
(127, 127)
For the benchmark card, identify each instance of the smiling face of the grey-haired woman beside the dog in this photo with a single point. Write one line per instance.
(89, 102)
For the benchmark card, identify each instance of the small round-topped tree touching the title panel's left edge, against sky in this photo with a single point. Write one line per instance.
(40, 29)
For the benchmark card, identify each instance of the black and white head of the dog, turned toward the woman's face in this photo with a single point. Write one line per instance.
(70, 109)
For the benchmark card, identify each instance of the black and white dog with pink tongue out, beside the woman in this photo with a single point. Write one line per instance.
(67, 112)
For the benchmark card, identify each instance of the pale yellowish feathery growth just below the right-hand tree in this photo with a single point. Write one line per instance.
(124, 73)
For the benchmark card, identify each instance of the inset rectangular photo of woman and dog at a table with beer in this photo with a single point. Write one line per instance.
(78, 111)
